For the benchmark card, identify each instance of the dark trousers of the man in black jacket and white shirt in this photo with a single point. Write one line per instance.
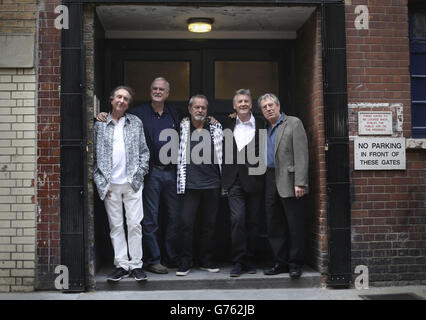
(244, 208)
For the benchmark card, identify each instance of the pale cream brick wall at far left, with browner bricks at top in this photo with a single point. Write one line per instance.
(17, 156)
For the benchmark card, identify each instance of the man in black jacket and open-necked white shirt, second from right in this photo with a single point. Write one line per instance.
(245, 190)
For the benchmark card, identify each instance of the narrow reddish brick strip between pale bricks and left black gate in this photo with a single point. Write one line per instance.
(48, 149)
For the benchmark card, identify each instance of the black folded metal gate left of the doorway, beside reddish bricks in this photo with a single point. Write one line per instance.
(73, 151)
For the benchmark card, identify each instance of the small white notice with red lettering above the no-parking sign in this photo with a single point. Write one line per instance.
(375, 123)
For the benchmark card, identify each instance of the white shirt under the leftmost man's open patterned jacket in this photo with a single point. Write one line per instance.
(118, 174)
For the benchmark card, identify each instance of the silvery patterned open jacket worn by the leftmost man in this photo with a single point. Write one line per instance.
(137, 153)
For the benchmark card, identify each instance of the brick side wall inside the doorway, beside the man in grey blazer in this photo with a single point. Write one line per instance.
(310, 104)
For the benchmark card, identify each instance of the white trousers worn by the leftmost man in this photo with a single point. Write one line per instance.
(123, 193)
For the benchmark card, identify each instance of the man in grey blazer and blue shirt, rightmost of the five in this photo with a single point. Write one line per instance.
(286, 184)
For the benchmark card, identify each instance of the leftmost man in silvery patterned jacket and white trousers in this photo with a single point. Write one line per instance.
(121, 162)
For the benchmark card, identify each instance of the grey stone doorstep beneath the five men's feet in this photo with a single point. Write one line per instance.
(201, 280)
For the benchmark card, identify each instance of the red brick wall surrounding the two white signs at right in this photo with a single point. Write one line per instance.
(388, 207)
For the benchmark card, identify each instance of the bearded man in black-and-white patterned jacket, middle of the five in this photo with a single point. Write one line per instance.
(198, 183)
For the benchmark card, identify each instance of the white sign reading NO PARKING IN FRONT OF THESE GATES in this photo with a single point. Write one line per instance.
(379, 153)
